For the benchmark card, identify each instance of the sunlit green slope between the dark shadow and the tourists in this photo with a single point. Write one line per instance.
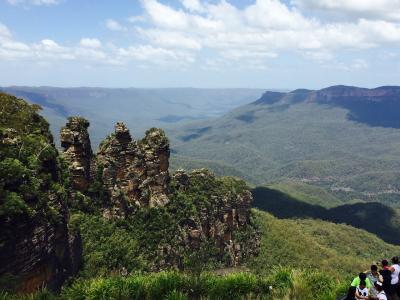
(338, 249)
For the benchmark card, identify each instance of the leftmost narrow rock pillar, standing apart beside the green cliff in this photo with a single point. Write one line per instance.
(77, 151)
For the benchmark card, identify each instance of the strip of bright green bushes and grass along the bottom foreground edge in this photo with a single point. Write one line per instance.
(281, 283)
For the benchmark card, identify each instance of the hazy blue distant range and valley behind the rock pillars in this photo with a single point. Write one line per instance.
(139, 108)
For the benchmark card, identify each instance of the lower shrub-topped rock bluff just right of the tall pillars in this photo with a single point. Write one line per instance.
(223, 219)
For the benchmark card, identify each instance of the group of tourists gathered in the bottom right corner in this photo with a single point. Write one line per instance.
(383, 284)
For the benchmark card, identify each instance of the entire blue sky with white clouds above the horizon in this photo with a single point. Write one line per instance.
(200, 43)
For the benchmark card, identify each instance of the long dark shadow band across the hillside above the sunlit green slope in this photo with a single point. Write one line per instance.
(373, 217)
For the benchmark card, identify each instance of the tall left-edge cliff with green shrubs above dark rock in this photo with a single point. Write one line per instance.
(37, 247)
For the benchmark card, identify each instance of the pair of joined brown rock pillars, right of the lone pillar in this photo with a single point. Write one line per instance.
(134, 173)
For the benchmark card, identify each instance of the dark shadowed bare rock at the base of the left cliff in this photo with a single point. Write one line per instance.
(37, 253)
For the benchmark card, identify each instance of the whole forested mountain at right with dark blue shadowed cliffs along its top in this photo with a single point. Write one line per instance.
(346, 139)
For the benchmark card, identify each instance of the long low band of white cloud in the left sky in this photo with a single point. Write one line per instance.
(88, 50)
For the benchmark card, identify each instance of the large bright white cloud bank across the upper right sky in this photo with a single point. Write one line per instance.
(261, 30)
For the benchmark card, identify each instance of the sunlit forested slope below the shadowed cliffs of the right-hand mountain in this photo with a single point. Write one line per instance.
(310, 142)
